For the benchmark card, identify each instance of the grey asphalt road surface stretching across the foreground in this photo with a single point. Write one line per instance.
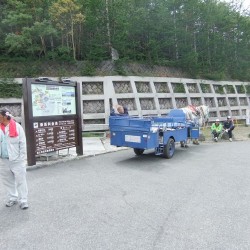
(199, 199)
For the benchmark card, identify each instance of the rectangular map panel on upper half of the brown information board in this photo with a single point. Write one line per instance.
(50, 100)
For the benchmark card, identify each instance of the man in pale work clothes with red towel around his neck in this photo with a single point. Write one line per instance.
(13, 160)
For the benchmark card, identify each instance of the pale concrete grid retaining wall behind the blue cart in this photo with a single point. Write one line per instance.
(152, 96)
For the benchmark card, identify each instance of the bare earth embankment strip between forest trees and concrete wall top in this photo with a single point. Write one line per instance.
(83, 68)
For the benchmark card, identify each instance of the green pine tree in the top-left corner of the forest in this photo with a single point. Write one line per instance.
(26, 37)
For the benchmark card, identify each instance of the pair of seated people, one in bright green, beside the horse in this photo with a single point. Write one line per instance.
(218, 128)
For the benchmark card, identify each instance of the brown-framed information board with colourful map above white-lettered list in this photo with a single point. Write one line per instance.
(52, 115)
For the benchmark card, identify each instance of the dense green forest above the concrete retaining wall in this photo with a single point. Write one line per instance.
(207, 39)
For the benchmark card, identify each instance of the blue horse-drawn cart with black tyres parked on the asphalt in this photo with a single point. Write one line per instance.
(158, 133)
